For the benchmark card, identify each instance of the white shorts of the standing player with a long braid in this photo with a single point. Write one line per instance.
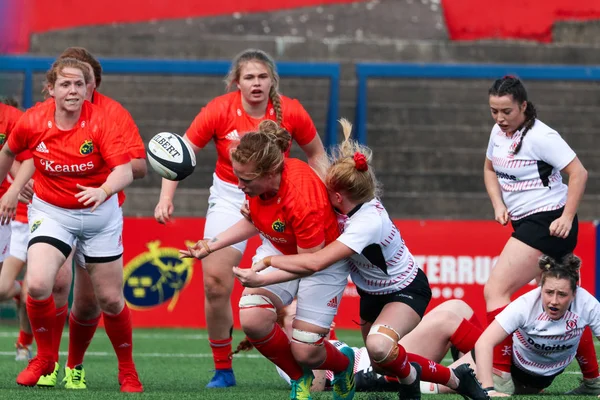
(224, 205)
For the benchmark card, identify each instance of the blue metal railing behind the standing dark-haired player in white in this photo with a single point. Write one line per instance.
(364, 71)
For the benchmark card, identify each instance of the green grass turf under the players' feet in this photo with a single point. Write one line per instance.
(177, 364)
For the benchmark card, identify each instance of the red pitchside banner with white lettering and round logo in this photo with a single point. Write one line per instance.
(457, 256)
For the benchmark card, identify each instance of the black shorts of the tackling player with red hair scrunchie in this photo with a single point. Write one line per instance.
(416, 295)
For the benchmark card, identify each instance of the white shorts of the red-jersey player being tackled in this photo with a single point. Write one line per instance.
(319, 295)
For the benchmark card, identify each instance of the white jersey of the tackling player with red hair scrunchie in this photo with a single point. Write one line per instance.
(382, 263)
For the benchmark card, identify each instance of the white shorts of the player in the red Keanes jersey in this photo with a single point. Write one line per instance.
(98, 234)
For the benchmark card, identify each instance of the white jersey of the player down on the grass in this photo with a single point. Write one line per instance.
(544, 346)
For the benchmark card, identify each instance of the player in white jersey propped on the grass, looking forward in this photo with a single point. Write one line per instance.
(546, 324)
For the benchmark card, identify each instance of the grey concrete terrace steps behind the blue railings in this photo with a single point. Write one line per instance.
(429, 136)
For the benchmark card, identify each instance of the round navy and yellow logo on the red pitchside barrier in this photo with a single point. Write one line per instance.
(155, 277)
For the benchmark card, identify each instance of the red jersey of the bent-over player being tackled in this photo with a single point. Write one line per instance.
(300, 215)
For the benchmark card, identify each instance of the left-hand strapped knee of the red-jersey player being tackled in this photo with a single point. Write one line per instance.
(255, 311)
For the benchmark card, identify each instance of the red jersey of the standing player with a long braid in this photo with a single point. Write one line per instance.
(224, 120)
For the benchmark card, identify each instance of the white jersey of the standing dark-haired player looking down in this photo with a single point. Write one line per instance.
(530, 180)
